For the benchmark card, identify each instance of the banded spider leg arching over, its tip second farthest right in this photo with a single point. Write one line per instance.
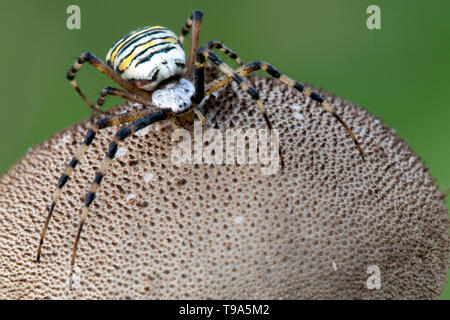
(203, 55)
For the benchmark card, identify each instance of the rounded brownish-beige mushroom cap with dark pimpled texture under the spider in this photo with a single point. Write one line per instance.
(161, 230)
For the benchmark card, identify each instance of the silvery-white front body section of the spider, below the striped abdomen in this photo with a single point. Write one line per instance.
(174, 96)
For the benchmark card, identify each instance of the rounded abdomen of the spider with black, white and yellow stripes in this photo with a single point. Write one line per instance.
(153, 54)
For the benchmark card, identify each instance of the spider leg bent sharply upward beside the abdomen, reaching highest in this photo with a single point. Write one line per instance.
(195, 23)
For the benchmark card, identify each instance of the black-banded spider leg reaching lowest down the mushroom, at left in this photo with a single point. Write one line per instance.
(120, 136)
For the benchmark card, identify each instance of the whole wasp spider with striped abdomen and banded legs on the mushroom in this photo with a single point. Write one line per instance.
(150, 65)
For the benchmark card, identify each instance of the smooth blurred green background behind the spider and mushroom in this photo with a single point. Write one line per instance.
(400, 73)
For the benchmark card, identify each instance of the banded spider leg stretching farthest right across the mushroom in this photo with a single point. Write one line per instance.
(248, 68)
